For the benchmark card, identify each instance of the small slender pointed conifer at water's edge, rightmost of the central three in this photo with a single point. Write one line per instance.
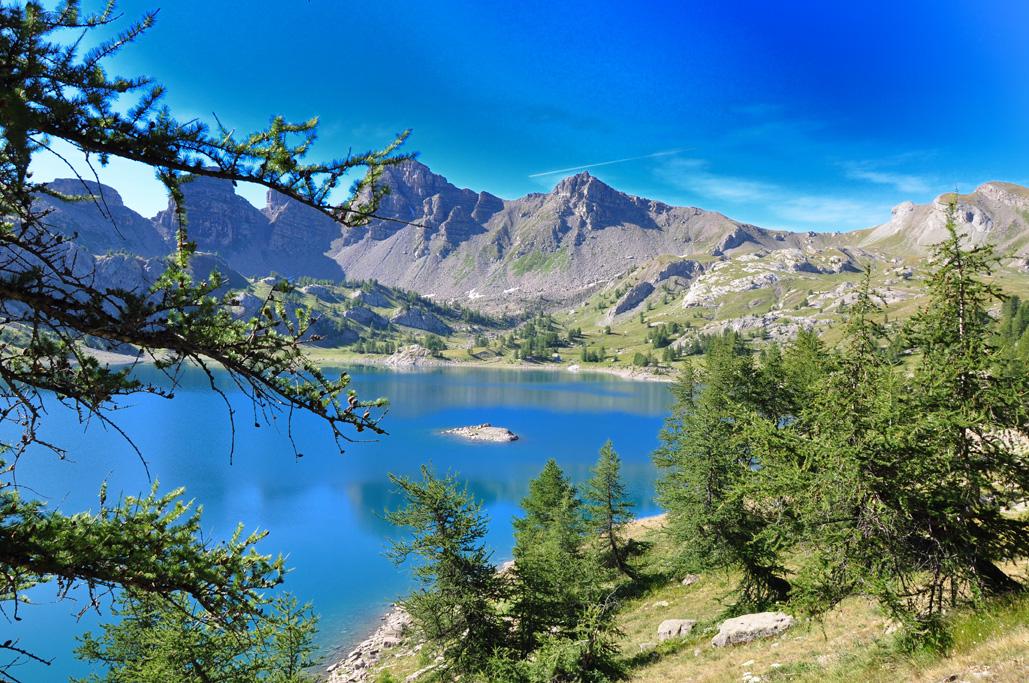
(608, 508)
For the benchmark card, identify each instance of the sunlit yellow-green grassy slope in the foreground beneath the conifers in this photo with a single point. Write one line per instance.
(849, 644)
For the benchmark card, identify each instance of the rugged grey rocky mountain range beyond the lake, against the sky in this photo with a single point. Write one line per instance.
(483, 251)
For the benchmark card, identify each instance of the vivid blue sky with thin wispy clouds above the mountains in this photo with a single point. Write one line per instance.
(805, 116)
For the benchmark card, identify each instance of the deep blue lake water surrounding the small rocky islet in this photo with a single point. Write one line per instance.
(326, 511)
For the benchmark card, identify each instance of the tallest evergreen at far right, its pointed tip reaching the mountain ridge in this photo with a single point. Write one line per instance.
(967, 414)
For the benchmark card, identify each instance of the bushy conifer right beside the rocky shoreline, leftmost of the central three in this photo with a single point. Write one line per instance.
(456, 604)
